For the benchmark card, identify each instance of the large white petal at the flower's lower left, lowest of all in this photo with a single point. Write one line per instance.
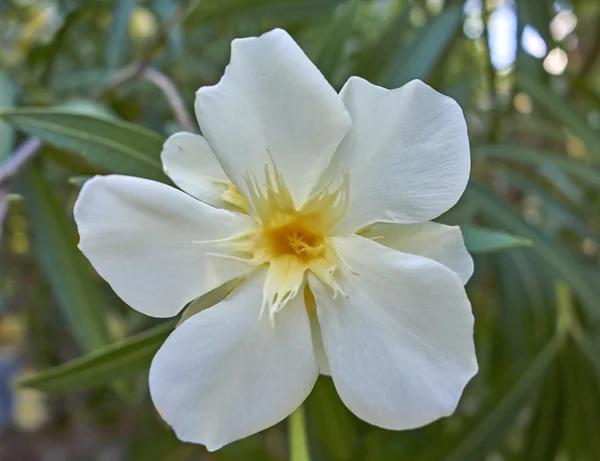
(225, 374)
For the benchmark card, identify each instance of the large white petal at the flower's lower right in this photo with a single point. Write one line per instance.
(400, 344)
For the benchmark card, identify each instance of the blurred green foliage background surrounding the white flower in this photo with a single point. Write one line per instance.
(77, 71)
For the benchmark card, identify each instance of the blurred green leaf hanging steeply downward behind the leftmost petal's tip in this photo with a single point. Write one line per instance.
(65, 267)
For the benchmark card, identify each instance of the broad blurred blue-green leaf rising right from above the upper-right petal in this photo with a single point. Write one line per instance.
(418, 57)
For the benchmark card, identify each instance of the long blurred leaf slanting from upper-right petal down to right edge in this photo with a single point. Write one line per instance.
(558, 259)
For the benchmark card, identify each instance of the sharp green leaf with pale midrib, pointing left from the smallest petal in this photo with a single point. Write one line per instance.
(118, 146)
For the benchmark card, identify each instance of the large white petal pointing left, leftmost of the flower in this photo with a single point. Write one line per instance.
(143, 238)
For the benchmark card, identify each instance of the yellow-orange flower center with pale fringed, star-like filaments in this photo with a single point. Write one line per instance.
(290, 240)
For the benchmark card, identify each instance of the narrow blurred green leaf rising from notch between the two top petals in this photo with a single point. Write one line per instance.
(331, 53)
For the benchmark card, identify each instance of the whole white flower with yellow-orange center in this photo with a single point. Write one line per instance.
(285, 190)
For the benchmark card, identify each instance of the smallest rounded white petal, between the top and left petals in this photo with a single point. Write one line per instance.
(191, 164)
